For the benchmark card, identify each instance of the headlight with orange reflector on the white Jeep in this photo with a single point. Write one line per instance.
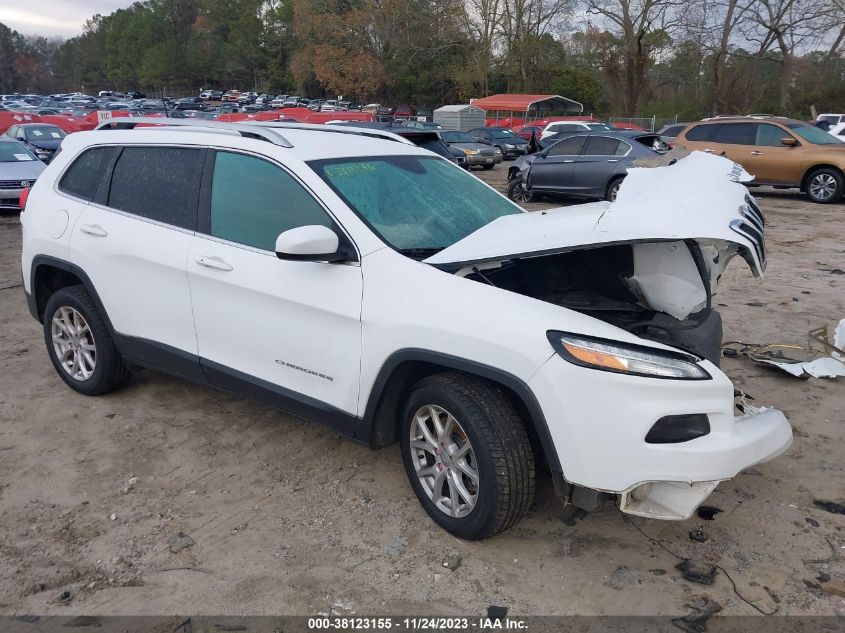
(625, 358)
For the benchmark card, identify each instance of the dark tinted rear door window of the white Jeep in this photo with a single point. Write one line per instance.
(158, 183)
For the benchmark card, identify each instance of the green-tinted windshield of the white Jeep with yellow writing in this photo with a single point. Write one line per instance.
(393, 195)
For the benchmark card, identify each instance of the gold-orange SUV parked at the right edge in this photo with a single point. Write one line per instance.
(776, 151)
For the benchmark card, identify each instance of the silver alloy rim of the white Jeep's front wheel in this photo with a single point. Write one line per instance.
(444, 461)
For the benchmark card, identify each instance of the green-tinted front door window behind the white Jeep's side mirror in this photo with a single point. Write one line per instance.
(253, 201)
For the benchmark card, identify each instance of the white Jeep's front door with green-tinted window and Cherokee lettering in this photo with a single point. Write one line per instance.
(284, 332)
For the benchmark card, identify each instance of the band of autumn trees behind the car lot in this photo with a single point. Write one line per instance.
(627, 57)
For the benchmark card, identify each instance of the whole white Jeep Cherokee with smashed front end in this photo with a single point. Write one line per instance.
(352, 278)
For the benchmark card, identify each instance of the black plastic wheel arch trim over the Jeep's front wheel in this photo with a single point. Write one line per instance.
(382, 416)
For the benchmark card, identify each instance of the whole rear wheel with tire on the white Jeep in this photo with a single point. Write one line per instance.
(80, 345)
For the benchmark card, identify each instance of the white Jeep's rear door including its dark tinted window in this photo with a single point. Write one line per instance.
(132, 240)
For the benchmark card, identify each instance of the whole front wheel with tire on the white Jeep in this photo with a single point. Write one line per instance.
(467, 455)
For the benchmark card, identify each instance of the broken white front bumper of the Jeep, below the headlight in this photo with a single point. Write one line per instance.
(599, 422)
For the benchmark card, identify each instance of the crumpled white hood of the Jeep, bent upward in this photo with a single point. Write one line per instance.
(699, 198)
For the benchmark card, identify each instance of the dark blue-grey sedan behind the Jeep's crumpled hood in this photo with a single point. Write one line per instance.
(585, 164)
